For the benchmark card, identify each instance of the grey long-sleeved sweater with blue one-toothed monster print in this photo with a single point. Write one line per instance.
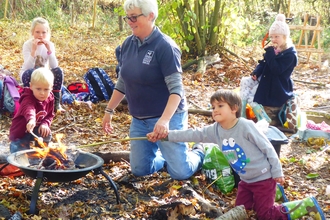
(246, 148)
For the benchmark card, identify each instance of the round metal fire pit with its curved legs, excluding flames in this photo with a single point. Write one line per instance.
(84, 163)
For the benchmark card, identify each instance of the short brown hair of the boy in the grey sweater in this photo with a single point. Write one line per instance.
(232, 98)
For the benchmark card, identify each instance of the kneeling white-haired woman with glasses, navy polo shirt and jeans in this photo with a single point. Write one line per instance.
(150, 78)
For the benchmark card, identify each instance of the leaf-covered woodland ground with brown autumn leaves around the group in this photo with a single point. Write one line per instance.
(156, 196)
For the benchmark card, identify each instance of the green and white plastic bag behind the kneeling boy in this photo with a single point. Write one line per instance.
(216, 167)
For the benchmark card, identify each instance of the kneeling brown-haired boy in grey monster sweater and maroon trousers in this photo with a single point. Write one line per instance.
(250, 154)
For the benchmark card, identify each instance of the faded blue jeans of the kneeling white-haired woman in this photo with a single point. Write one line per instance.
(147, 157)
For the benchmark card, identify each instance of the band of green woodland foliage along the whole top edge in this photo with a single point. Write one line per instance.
(192, 24)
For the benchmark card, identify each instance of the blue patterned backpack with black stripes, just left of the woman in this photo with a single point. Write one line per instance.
(99, 83)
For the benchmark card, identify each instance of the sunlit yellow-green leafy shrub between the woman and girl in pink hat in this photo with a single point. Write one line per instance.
(234, 26)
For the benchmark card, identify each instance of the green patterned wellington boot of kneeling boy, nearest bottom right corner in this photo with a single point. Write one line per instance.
(299, 208)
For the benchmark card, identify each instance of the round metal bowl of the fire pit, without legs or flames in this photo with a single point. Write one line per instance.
(86, 160)
